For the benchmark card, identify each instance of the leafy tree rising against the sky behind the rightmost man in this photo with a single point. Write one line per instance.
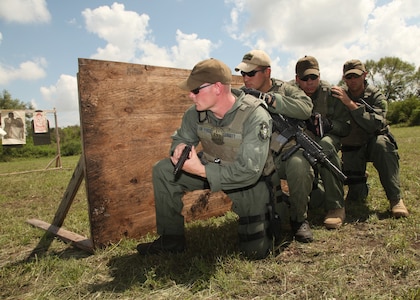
(397, 79)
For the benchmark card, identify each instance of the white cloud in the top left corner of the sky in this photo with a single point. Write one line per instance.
(24, 11)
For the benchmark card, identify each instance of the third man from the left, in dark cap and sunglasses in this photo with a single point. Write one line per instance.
(330, 121)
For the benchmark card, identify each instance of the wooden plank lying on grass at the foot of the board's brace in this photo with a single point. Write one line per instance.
(79, 241)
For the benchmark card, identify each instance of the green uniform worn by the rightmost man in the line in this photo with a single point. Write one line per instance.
(370, 141)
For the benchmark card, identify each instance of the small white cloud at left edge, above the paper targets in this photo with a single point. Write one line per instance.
(28, 70)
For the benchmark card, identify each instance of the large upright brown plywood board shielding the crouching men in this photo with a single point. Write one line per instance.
(127, 113)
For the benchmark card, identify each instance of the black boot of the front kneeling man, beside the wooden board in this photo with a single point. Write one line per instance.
(164, 244)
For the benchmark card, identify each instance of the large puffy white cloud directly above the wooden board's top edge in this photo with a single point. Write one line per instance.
(129, 39)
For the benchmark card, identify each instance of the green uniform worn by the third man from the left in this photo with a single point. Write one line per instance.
(331, 194)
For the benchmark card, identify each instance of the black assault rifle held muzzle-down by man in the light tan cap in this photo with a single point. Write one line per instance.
(286, 132)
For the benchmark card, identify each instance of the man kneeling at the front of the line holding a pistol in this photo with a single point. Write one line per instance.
(234, 131)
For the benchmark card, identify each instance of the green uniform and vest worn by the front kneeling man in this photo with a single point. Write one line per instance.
(235, 150)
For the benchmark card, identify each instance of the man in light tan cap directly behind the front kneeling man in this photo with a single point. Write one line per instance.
(291, 102)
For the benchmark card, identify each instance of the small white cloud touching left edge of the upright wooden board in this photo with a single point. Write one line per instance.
(63, 95)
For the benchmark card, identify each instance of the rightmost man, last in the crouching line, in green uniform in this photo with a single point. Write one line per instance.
(370, 139)
